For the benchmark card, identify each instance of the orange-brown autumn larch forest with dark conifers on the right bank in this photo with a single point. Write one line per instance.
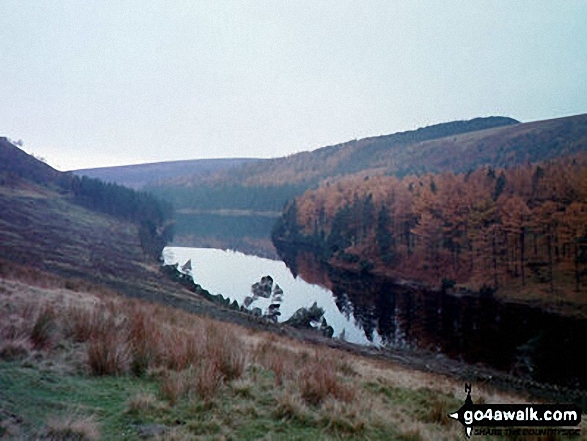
(482, 229)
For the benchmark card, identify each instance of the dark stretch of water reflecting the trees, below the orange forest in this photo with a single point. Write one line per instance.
(514, 338)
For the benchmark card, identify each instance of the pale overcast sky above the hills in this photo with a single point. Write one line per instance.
(110, 82)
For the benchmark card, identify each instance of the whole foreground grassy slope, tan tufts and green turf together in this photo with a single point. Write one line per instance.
(273, 387)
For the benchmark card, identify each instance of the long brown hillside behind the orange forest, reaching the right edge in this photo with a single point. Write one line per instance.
(458, 146)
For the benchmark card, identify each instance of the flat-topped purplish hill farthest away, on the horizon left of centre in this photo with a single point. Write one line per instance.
(140, 175)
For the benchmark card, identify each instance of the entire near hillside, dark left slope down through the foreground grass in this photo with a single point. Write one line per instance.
(78, 360)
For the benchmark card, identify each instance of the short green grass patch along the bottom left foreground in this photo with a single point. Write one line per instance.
(251, 409)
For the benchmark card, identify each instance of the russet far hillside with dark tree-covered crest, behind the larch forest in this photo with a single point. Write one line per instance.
(392, 154)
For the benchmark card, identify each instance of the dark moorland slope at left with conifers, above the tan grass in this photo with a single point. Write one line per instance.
(51, 220)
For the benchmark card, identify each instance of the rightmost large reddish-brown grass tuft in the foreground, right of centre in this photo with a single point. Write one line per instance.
(318, 380)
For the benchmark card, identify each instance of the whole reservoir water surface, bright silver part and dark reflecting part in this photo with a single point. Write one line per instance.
(369, 310)
